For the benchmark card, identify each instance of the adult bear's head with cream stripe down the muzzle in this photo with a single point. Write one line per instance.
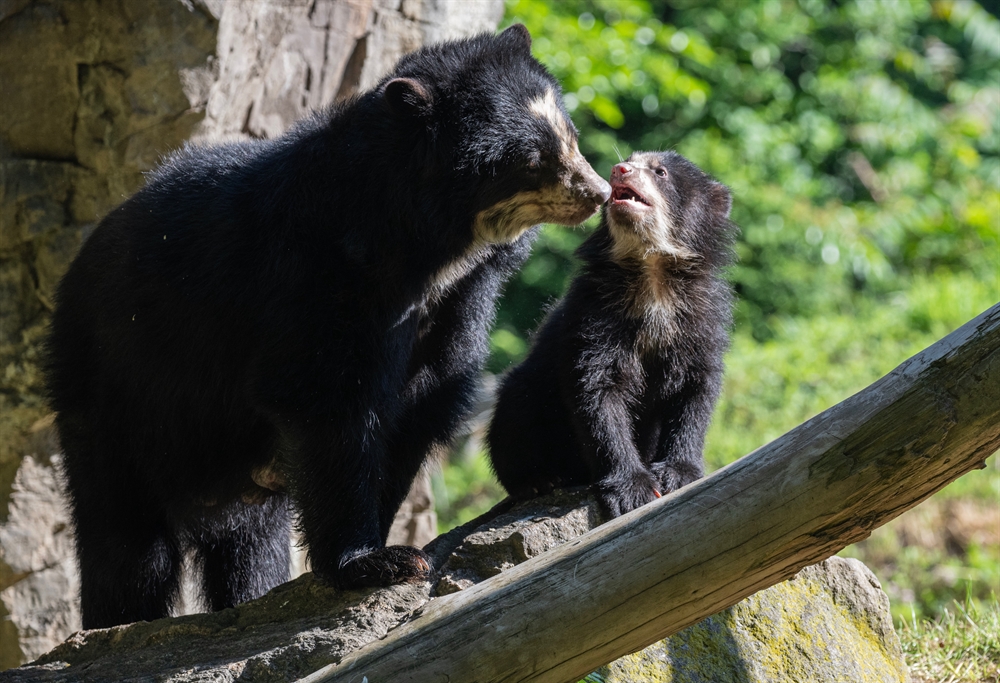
(497, 136)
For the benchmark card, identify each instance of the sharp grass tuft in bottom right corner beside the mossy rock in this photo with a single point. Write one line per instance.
(963, 644)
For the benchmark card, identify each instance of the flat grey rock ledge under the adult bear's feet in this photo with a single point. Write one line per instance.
(292, 631)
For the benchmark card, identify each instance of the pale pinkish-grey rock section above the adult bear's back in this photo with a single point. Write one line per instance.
(278, 60)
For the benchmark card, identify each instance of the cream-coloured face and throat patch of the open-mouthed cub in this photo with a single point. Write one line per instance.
(639, 214)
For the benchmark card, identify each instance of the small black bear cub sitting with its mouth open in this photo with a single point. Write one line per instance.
(622, 377)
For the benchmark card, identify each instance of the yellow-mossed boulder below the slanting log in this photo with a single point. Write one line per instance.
(830, 622)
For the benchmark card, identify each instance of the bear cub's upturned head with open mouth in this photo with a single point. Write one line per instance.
(662, 204)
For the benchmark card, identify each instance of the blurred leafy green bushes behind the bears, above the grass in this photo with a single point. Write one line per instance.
(860, 138)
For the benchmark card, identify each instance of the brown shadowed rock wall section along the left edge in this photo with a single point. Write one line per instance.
(92, 95)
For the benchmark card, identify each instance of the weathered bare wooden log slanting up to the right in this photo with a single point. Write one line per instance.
(644, 576)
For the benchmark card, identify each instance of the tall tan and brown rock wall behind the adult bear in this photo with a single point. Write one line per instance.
(92, 93)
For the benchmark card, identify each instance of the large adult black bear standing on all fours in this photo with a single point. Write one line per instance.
(305, 314)
